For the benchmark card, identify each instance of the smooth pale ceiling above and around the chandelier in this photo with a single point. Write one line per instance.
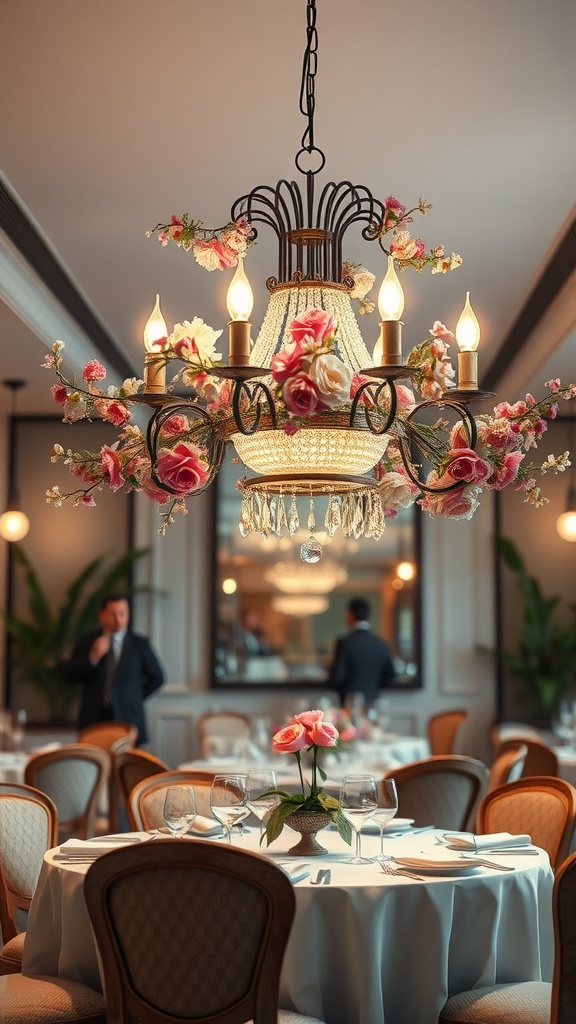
(118, 115)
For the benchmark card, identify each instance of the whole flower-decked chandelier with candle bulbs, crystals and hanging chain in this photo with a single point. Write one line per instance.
(307, 408)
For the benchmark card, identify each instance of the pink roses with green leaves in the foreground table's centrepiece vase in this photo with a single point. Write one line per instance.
(309, 732)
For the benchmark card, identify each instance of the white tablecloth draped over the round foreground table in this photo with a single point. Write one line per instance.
(368, 949)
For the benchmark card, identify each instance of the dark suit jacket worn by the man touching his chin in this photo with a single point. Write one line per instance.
(138, 675)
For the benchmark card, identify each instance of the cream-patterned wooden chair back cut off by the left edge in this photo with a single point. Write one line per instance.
(29, 827)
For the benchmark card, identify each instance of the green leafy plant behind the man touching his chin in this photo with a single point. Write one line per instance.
(43, 643)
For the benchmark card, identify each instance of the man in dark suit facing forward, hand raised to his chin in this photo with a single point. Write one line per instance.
(117, 670)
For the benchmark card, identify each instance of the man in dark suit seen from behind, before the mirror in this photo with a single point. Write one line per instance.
(362, 662)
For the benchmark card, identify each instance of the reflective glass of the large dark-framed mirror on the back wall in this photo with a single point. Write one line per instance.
(277, 618)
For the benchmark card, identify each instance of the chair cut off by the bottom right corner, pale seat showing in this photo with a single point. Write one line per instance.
(530, 1002)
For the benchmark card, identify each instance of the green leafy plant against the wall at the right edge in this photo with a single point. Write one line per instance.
(546, 659)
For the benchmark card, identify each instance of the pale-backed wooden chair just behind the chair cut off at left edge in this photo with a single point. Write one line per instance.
(72, 777)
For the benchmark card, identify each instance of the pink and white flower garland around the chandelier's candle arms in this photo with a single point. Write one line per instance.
(309, 379)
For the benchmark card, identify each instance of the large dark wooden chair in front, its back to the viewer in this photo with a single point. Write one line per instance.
(220, 962)
